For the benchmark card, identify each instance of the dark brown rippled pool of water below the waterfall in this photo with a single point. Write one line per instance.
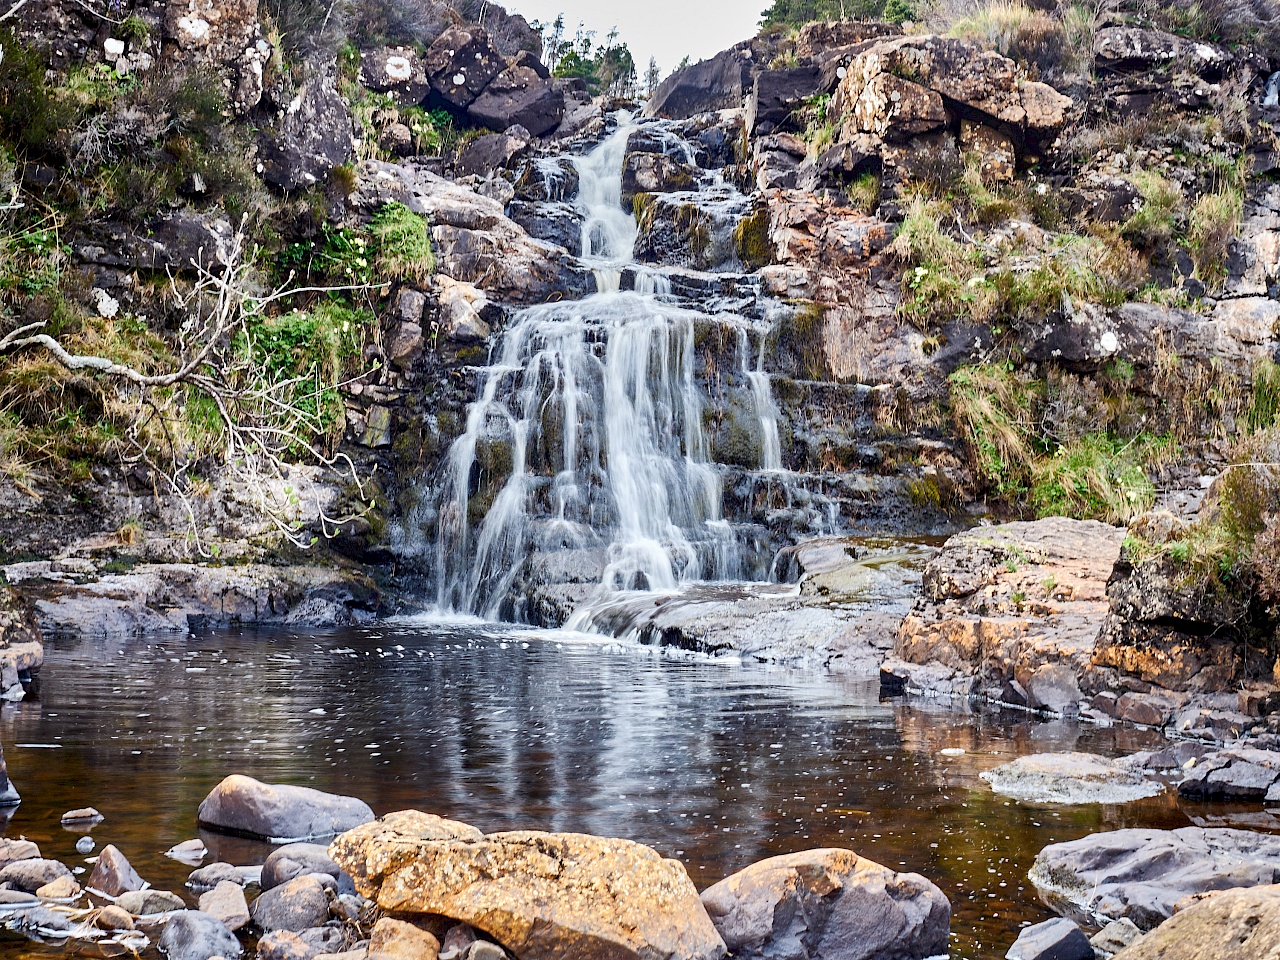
(717, 765)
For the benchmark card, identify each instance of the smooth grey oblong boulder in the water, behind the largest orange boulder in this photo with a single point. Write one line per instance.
(280, 813)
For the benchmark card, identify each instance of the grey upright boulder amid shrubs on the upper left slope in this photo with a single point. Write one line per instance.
(313, 136)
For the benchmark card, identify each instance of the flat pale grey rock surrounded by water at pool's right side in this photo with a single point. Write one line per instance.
(1071, 779)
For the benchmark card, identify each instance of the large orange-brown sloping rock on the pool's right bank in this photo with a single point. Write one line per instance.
(1012, 614)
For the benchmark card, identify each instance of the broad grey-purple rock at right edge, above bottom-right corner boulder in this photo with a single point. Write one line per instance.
(1144, 874)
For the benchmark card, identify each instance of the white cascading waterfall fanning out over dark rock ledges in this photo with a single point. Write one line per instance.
(589, 433)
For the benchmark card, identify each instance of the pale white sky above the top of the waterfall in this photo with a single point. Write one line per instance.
(669, 30)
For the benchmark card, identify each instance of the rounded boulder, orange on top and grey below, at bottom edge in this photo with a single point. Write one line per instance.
(828, 904)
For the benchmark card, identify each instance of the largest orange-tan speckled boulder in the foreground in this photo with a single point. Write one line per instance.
(543, 895)
